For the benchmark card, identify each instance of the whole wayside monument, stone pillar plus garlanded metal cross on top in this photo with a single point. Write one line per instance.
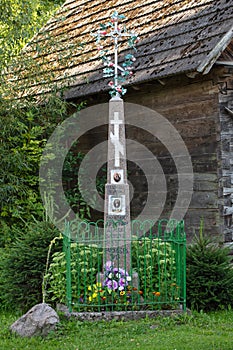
(117, 233)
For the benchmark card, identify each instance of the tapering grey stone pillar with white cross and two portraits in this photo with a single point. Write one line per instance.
(117, 235)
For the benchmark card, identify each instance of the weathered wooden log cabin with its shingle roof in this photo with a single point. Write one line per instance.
(183, 71)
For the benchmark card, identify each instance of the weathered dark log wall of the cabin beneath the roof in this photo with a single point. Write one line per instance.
(192, 106)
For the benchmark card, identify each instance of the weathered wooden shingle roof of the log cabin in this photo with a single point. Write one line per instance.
(176, 36)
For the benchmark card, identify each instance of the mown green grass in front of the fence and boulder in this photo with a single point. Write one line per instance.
(198, 331)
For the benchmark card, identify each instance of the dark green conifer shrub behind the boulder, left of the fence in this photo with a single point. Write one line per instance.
(22, 266)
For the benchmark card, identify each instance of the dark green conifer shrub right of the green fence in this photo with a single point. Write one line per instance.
(209, 275)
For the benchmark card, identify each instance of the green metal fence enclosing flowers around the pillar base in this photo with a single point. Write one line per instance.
(147, 271)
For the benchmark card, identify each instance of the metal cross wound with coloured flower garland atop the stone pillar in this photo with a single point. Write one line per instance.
(113, 31)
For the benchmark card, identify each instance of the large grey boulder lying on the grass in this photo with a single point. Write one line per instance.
(39, 320)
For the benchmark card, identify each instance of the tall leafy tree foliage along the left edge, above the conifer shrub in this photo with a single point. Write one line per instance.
(26, 122)
